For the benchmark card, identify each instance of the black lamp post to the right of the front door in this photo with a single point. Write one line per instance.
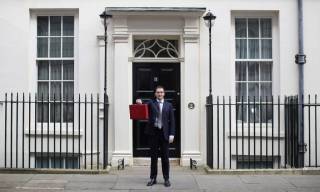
(209, 21)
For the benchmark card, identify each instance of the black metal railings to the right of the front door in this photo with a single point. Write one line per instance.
(260, 132)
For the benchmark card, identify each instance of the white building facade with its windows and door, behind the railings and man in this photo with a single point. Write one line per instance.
(57, 47)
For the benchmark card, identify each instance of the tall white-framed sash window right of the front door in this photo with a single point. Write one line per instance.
(253, 66)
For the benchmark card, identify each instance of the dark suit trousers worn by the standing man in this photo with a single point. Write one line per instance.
(157, 140)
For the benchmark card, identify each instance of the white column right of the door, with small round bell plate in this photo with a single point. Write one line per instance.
(190, 70)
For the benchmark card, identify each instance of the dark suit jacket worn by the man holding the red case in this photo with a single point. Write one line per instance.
(168, 121)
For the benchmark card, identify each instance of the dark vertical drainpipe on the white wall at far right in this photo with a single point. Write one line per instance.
(300, 60)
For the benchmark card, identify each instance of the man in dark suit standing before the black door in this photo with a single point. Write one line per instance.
(161, 131)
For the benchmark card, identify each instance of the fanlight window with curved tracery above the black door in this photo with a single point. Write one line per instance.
(155, 48)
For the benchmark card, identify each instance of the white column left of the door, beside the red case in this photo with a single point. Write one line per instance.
(122, 93)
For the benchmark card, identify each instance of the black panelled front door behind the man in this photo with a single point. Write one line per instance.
(146, 76)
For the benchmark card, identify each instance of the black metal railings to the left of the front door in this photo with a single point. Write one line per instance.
(41, 131)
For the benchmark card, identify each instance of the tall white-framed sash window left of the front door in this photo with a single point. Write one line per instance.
(55, 67)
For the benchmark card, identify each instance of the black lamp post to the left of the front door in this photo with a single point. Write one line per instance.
(105, 17)
